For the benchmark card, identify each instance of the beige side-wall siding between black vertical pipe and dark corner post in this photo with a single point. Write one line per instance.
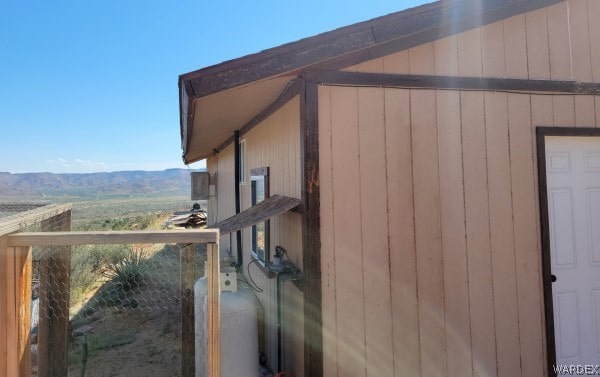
(276, 143)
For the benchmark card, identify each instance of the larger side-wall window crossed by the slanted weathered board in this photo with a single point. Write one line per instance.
(259, 181)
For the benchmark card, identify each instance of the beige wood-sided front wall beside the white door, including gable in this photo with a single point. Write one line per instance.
(431, 260)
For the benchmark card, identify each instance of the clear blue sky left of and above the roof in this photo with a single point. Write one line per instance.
(91, 85)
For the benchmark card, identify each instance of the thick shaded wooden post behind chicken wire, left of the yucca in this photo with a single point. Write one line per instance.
(54, 302)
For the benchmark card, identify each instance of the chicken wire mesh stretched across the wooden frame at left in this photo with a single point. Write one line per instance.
(112, 309)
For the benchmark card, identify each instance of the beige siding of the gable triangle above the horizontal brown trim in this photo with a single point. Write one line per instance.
(557, 42)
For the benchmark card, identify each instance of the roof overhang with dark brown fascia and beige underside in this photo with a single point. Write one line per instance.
(216, 100)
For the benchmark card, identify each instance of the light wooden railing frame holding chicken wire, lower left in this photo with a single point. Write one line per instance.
(15, 292)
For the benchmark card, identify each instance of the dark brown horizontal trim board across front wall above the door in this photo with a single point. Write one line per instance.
(389, 80)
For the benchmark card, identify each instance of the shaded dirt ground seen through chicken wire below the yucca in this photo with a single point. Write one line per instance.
(142, 339)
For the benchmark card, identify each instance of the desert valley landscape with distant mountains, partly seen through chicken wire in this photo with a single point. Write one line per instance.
(124, 299)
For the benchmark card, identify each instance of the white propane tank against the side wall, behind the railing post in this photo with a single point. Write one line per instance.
(239, 332)
